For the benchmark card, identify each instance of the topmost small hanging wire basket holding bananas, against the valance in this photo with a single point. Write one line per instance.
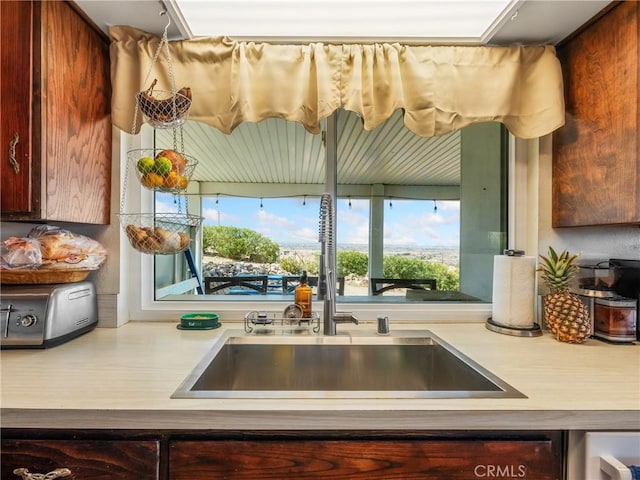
(164, 109)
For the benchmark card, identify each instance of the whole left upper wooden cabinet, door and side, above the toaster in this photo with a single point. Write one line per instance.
(56, 125)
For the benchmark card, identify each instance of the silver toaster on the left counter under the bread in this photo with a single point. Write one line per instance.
(42, 316)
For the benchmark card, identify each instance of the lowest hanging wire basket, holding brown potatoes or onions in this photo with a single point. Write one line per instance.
(160, 233)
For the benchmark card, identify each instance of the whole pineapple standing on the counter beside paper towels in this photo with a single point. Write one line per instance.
(565, 315)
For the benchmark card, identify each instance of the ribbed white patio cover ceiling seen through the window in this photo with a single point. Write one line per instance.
(281, 153)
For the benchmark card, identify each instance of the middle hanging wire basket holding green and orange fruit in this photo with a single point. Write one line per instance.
(165, 170)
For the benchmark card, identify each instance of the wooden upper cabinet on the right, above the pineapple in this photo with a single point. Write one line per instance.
(596, 155)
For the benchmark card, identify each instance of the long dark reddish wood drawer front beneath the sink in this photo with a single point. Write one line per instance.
(361, 459)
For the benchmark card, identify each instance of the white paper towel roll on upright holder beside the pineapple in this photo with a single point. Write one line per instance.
(514, 291)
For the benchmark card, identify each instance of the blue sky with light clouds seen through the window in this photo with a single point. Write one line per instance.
(296, 220)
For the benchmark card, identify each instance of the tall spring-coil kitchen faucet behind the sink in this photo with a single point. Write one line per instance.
(326, 273)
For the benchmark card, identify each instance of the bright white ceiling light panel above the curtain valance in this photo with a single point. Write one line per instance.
(340, 20)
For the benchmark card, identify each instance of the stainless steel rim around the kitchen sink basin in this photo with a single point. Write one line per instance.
(400, 337)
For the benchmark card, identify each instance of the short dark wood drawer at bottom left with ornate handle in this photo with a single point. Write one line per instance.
(87, 459)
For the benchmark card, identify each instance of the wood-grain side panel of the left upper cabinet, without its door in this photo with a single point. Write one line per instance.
(76, 140)
